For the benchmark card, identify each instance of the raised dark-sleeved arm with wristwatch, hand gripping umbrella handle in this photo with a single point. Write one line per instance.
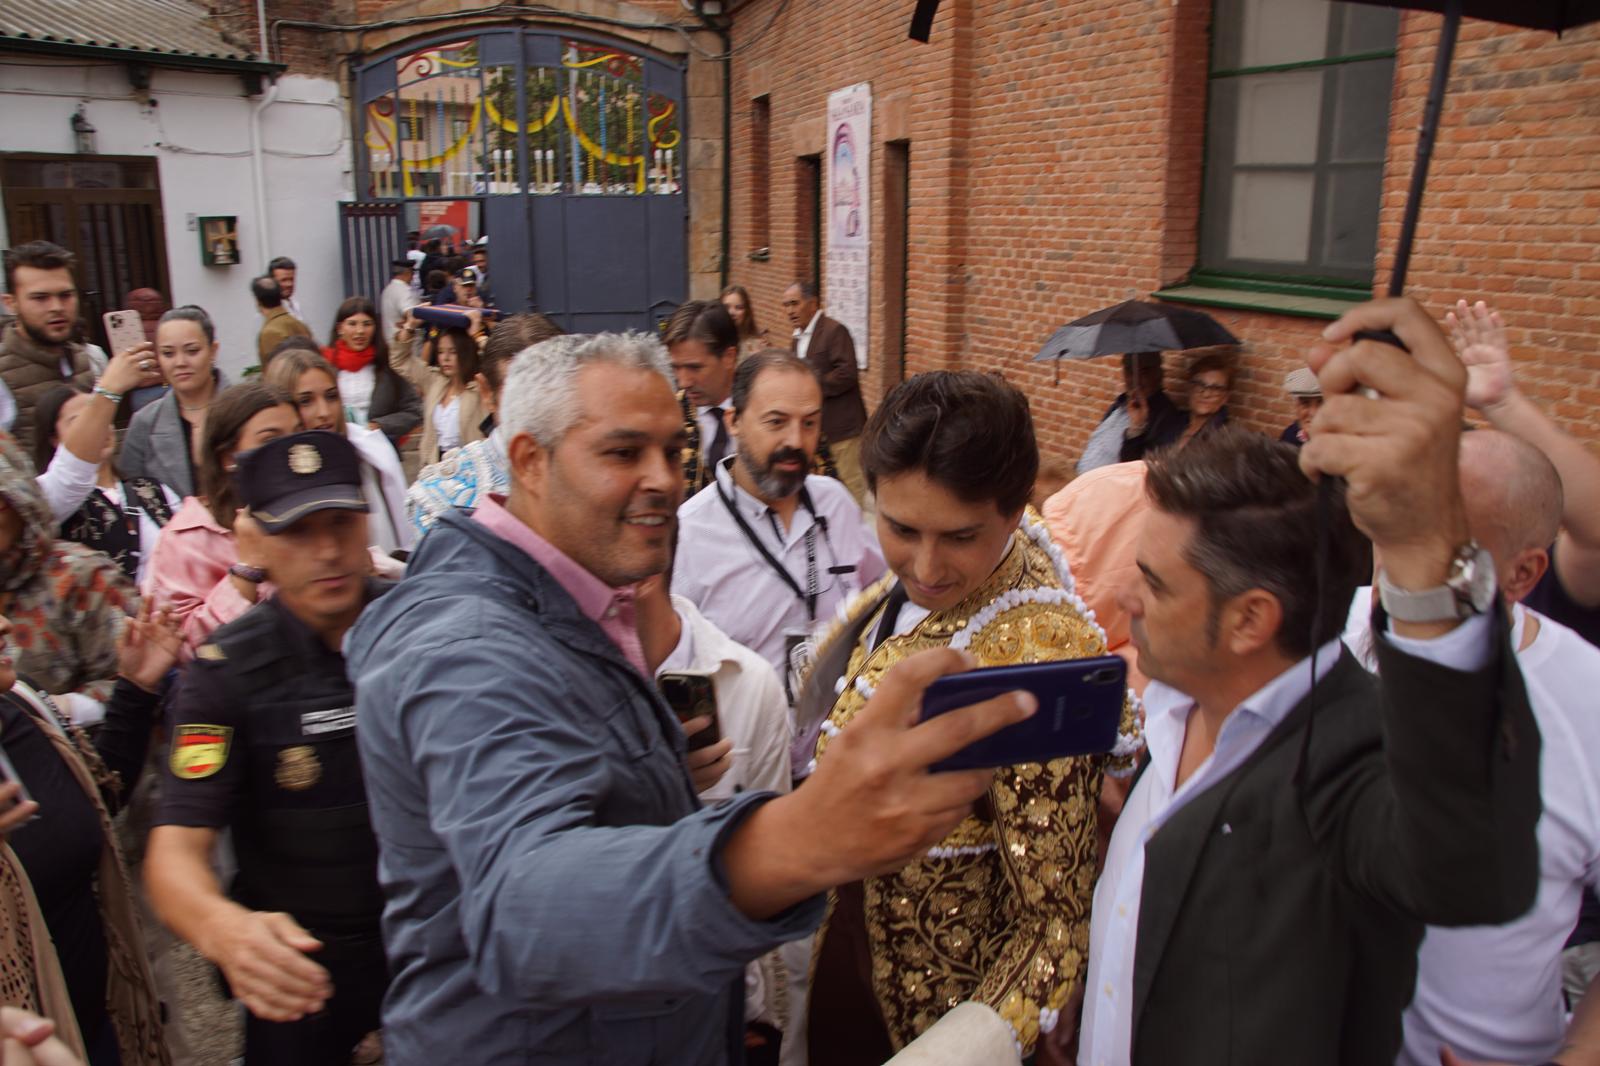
(1444, 827)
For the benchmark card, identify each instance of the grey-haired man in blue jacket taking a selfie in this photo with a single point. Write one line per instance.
(554, 889)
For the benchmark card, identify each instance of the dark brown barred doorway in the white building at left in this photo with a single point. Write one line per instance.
(103, 209)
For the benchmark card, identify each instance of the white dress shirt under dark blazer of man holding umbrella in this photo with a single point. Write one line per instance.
(1106, 1036)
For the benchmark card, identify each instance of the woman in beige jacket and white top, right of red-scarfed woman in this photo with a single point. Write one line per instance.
(446, 374)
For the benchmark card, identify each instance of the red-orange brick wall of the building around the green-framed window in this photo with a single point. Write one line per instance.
(1055, 158)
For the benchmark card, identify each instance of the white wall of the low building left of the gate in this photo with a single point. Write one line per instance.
(198, 127)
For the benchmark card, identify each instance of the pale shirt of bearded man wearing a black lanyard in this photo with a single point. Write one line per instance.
(726, 577)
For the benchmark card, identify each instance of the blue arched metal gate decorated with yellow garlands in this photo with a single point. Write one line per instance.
(567, 151)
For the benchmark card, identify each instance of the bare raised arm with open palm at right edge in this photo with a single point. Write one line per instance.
(1479, 335)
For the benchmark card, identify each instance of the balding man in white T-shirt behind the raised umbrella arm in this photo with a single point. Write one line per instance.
(1494, 993)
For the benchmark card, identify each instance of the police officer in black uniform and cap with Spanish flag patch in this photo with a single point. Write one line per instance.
(263, 742)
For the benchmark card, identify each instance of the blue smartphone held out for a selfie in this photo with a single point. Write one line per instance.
(1079, 710)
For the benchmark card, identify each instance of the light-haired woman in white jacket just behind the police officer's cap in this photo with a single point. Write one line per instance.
(313, 385)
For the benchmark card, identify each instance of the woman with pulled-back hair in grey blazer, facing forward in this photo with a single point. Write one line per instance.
(161, 441)
